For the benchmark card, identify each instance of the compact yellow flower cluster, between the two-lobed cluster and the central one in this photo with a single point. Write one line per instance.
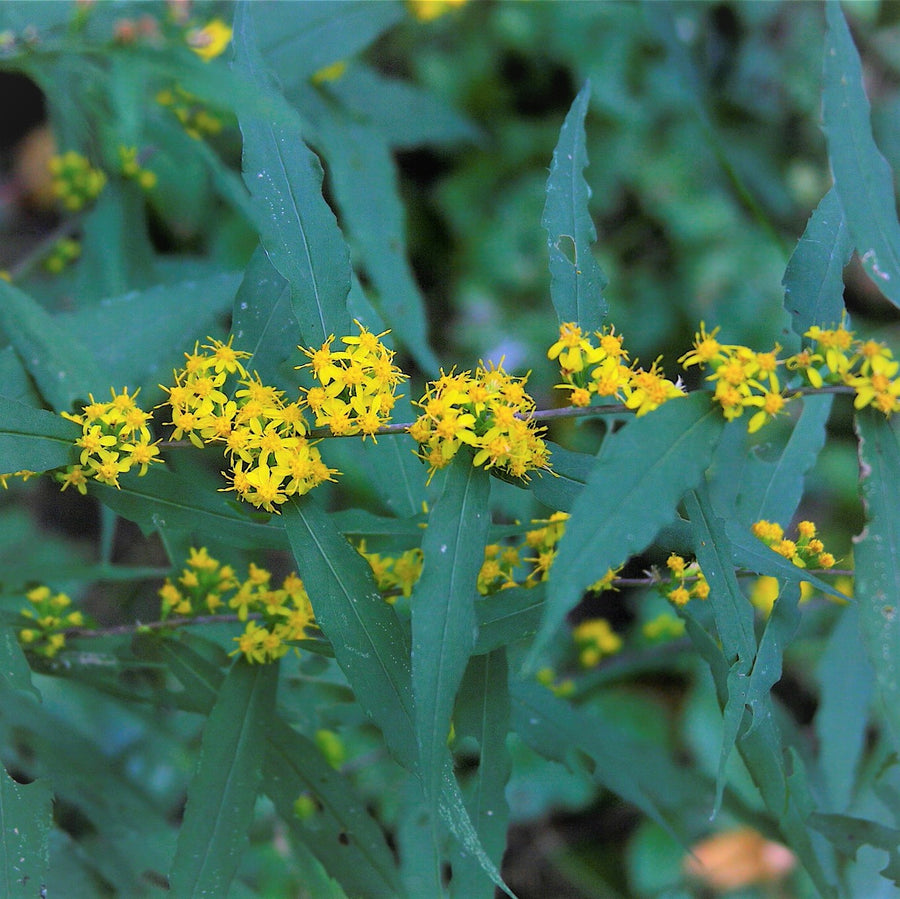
(357, 386)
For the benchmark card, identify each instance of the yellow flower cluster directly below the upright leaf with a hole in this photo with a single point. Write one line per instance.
(600, 370)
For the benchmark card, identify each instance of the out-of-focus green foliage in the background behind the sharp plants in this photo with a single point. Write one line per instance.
(707, 158)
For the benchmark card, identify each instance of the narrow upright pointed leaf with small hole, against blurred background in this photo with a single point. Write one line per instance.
(576, 280)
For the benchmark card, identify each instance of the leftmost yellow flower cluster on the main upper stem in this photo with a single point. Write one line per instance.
(115, 438)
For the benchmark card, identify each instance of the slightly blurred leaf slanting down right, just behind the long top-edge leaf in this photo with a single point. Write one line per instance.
(363, 176)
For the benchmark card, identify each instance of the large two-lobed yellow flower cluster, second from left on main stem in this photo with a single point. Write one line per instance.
(264, 436)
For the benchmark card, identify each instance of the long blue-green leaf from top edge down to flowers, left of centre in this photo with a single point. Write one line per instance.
(297, 228)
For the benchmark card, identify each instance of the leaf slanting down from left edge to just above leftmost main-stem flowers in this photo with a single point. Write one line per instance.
(62, 368)
